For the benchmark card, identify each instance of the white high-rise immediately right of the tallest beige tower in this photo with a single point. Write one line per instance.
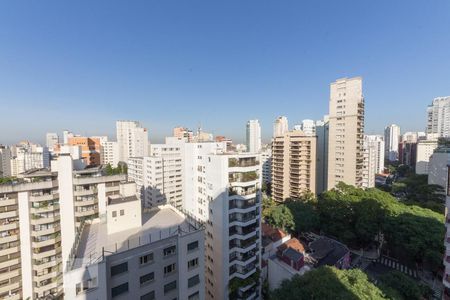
(374, 158)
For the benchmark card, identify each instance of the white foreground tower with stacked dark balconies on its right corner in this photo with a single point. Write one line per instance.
(223, 190)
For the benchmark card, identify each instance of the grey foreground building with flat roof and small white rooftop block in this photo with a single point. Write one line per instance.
(157, 254)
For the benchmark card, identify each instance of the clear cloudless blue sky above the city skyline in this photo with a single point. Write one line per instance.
(81, 65)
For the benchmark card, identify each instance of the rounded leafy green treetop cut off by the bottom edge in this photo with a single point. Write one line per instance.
(328, 283)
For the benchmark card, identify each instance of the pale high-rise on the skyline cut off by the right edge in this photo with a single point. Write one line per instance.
(439, 117)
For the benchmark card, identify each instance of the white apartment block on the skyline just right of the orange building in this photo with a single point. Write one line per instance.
(132, 140)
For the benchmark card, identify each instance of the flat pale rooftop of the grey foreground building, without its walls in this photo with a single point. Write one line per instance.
(158, 224)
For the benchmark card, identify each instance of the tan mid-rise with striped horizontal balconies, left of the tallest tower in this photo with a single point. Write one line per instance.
(293, 165)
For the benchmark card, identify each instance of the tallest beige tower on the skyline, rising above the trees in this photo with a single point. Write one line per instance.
(346, 133)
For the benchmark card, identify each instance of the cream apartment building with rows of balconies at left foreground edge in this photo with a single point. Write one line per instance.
(39, 216)
